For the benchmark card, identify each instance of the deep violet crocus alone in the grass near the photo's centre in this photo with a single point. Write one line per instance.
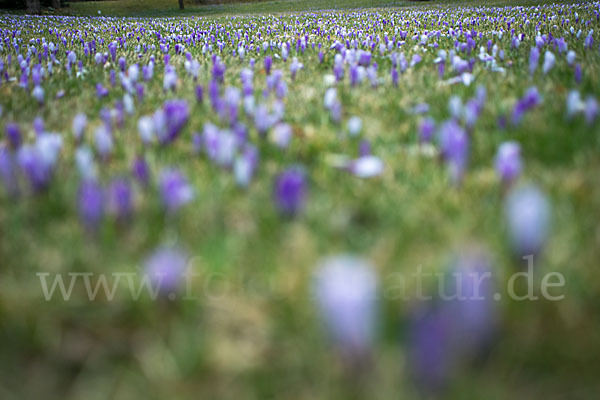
(289, 192)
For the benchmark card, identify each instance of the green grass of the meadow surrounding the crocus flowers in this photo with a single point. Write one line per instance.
(262, 339)
